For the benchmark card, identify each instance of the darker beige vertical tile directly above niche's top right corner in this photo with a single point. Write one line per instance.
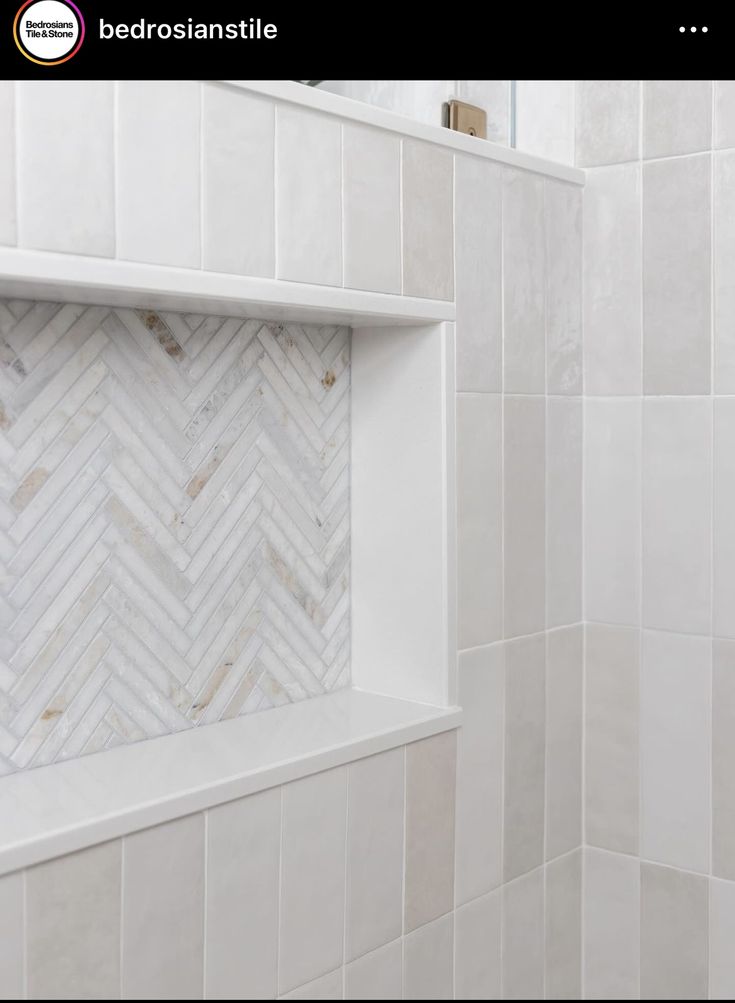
(429, 207)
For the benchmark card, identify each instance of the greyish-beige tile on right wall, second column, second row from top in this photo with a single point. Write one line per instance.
(676, 276)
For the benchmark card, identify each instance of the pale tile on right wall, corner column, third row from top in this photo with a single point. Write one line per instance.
(613, 511)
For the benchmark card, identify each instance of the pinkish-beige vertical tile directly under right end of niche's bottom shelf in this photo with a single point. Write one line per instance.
(431, 795)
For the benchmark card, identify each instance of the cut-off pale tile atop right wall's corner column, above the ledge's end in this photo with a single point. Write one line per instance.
(608, 122)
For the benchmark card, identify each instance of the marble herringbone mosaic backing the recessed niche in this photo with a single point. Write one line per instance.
(174, 523)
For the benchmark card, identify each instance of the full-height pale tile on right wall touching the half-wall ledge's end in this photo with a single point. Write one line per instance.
(613, 281)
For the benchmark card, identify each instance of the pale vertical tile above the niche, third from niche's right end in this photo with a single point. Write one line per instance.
(308, 197)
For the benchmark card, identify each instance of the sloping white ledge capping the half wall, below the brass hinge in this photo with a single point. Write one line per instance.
(345, 108)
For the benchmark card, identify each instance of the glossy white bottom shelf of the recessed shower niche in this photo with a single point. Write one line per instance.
(58, 810)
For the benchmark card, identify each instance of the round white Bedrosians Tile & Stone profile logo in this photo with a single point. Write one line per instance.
(49, 33)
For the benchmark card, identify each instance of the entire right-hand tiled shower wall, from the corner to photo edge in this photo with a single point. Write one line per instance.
(660, 537)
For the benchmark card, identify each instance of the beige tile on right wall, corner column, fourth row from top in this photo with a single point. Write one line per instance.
(612, 688)
